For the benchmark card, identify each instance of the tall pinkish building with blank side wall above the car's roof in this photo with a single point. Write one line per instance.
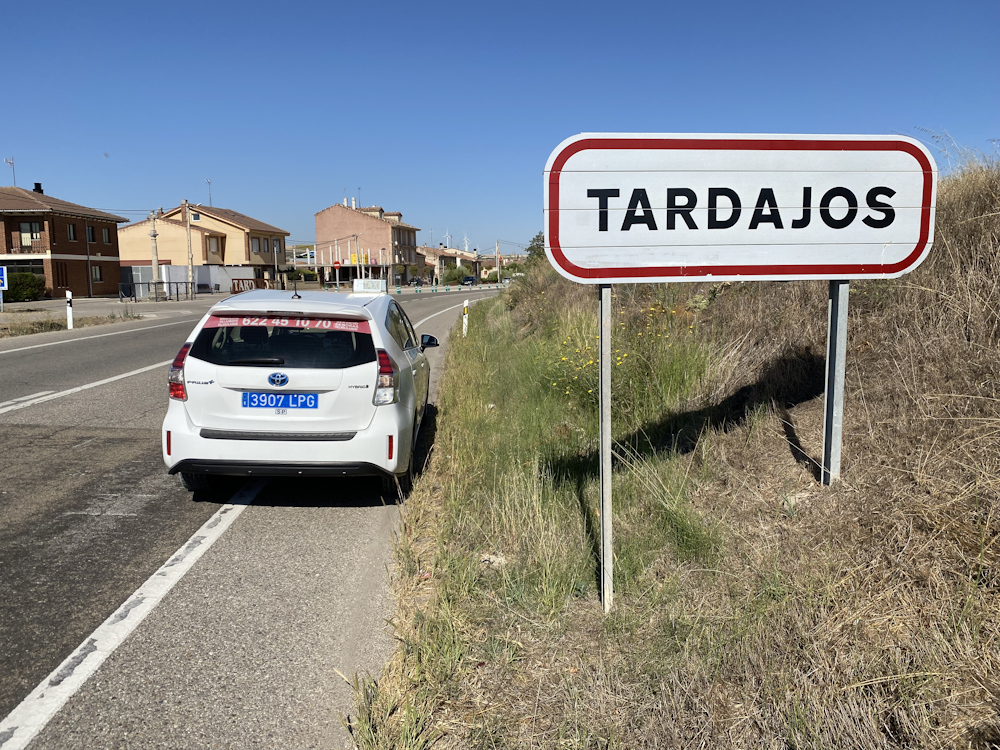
(382, 238)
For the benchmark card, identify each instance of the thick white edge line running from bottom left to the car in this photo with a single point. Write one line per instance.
(44, 702)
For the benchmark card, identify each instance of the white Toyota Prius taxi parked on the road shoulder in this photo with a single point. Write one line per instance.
(274, 383)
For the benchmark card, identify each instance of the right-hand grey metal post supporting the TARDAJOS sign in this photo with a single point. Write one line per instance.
(836, 362)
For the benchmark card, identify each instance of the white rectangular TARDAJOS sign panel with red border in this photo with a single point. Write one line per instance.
(643, 208)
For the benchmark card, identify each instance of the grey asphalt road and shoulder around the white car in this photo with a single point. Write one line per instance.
(244, 651)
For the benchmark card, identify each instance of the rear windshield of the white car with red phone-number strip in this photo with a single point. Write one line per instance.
(310, 343)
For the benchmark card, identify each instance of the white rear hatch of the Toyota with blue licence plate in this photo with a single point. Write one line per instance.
(283, 375)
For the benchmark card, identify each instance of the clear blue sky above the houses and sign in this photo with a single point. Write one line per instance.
(448, 111)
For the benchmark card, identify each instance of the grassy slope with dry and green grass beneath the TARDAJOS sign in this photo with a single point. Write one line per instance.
(755, 608)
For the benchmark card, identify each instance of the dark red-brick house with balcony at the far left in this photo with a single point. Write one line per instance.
(73, 247)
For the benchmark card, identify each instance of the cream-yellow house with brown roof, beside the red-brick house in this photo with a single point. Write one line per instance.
(219, 237)
